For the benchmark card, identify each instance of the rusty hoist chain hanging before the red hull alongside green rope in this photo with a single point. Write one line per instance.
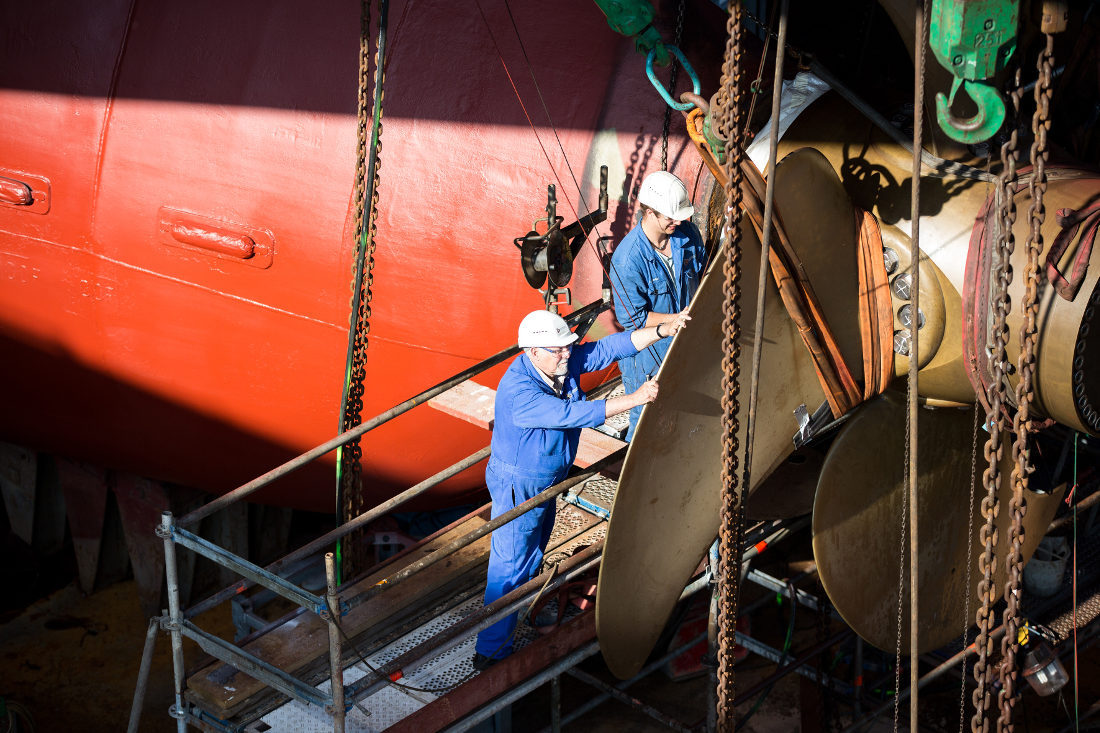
(368, 178)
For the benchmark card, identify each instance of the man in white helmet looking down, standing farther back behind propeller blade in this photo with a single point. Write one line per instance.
(656, 271)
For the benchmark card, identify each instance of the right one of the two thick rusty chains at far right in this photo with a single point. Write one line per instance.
(1026, 390)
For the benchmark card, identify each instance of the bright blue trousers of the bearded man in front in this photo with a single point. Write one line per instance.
(516, 549)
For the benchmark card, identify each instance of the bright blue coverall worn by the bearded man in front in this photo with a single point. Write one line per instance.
(535, 439)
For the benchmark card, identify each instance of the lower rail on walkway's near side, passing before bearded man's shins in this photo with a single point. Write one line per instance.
(477, 621)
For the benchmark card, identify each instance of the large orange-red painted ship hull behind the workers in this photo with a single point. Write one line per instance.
(124, 348)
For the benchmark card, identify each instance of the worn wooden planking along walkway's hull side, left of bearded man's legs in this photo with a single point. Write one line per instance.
(291, 647)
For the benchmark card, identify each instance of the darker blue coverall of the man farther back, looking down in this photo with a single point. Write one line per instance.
(642, 285)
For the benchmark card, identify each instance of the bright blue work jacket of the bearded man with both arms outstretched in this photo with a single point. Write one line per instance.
(535, 431)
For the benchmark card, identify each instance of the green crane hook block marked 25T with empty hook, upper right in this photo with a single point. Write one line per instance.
(974, 40)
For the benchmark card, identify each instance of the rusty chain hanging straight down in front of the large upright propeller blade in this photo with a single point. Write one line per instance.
(730, 537)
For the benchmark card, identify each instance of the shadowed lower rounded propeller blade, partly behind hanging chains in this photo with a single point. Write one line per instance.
(856, 523)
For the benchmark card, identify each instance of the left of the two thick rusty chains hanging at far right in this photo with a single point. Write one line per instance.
(1002, 275)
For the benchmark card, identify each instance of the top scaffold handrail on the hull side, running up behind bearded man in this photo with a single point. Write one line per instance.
(382, 419)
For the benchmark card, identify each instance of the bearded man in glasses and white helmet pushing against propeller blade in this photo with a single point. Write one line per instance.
(538, 417)
